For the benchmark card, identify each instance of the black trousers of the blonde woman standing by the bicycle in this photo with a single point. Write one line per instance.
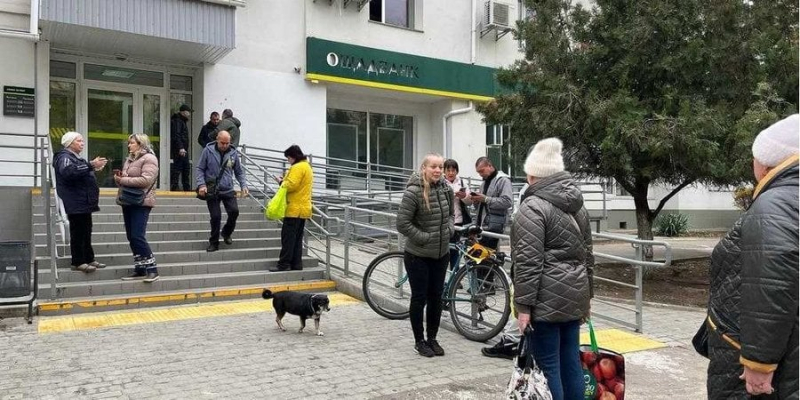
(426, 277)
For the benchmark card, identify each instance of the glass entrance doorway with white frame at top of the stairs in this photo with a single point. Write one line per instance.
(112, 114)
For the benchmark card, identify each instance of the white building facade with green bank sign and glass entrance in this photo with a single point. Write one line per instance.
(381, 81)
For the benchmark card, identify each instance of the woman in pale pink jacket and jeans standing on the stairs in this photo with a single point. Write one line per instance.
(140, 171)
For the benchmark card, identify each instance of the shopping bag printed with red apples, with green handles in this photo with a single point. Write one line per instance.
(603, 371)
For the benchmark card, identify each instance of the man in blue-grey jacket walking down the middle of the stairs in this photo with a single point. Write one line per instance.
(215, 170)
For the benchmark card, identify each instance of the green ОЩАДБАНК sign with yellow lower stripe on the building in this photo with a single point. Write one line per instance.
(358, 65)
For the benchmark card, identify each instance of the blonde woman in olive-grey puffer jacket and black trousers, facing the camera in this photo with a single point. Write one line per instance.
(425, 218)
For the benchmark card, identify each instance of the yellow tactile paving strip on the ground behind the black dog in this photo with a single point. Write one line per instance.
(80, 322)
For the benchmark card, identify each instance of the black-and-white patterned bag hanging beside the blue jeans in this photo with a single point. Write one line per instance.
(527, 380)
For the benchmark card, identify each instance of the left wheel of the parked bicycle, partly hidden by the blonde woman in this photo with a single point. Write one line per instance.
(386, 288)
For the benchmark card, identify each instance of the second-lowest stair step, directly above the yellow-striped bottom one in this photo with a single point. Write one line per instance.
(70, 290)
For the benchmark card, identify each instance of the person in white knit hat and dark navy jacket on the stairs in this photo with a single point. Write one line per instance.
(77, 187)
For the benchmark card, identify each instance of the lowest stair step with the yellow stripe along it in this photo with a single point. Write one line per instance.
(175, 297)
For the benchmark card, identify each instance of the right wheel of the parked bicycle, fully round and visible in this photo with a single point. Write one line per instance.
(480, 302)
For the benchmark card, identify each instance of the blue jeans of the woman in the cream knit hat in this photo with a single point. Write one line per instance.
(555, 349)
